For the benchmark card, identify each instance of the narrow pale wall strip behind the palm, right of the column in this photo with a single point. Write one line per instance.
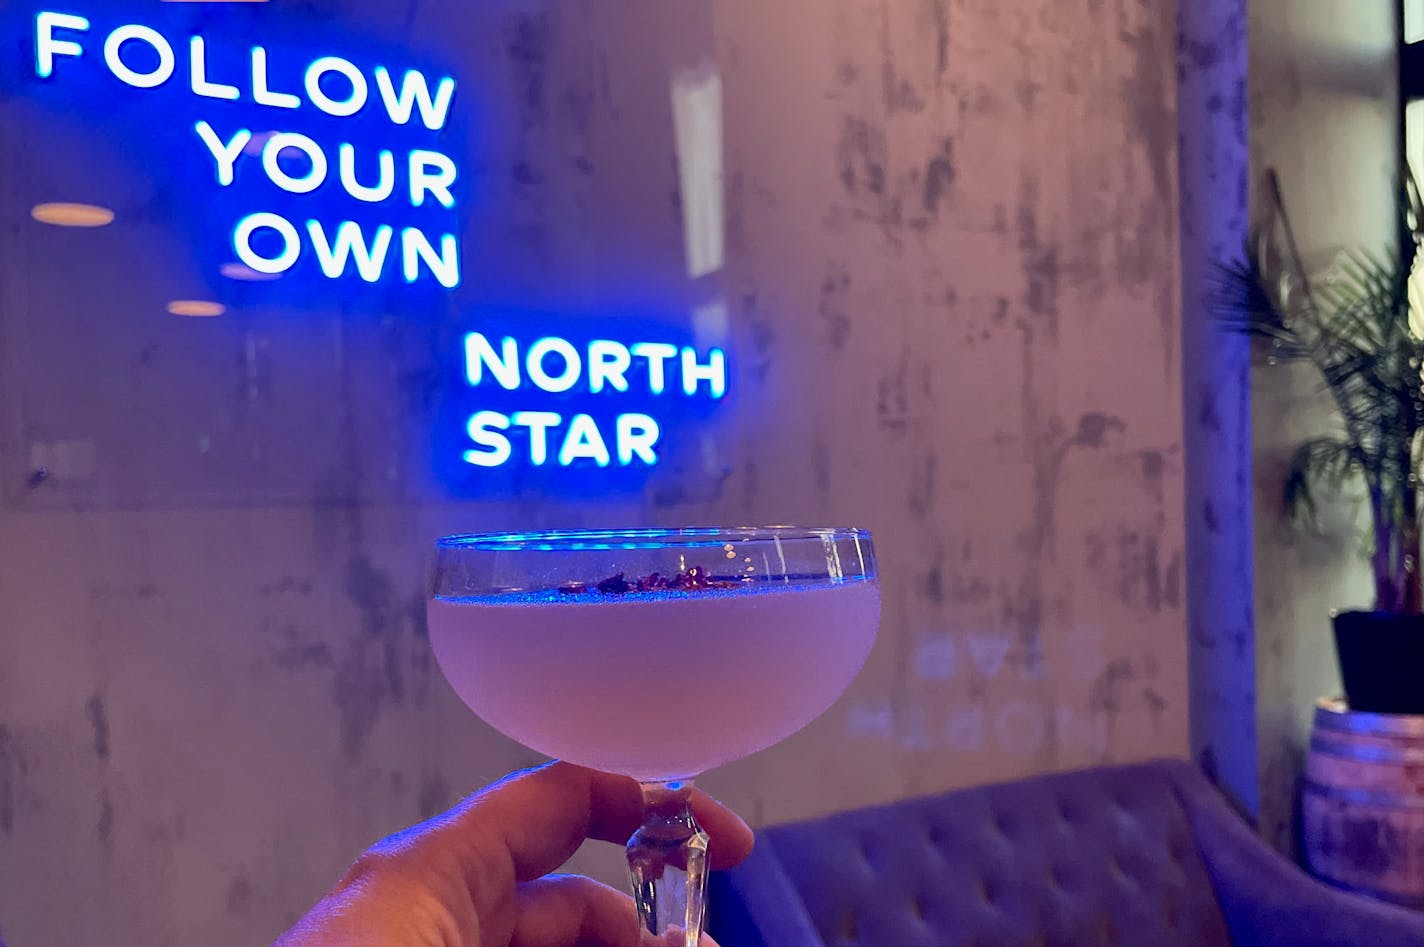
(1324, 116)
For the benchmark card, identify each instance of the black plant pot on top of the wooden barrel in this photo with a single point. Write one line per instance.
(1382, 661)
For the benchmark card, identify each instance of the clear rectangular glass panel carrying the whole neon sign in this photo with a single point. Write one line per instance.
(266, 253)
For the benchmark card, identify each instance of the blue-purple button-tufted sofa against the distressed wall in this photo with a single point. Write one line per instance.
(1127, 857)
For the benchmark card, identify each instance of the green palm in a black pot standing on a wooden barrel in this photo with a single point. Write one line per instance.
(1362, 328)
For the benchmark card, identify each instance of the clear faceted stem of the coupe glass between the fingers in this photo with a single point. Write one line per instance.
(667, 862)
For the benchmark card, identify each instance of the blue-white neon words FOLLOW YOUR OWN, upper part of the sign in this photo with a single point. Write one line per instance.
(294, 163)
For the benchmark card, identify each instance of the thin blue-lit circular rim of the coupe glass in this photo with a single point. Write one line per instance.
(643, 538)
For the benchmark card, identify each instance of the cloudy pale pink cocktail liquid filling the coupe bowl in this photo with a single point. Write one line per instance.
(656, 686)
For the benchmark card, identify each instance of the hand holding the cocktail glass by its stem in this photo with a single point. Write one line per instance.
(478, 877)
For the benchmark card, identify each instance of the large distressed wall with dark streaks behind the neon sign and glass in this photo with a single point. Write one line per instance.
(951, 287)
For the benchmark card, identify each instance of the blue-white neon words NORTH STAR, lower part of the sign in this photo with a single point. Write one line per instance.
(602, 367)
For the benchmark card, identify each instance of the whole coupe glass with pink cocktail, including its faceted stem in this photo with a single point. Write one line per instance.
(657, 654)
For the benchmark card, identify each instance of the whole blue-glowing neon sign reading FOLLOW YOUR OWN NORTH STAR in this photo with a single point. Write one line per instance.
(347, 169)
